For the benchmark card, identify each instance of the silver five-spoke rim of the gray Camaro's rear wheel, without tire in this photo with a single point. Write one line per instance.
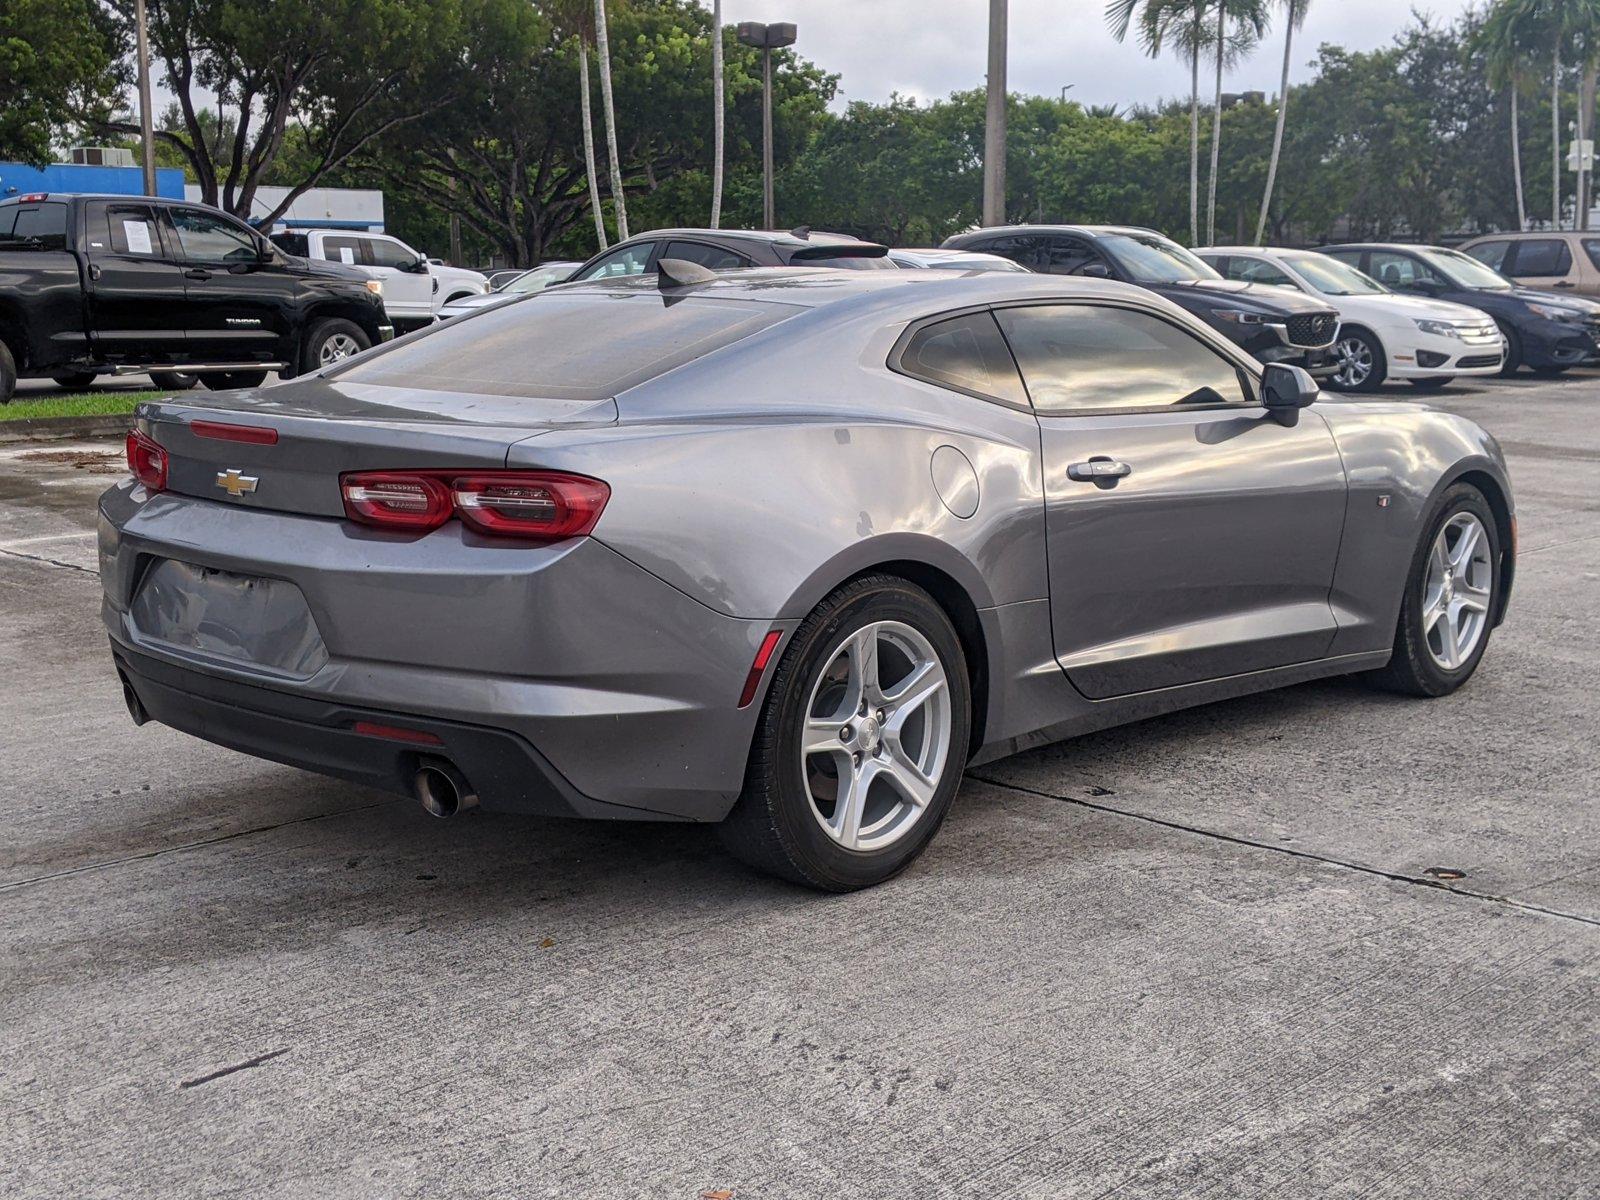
(878, 735)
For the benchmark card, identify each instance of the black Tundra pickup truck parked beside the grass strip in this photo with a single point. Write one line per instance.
(137, 286)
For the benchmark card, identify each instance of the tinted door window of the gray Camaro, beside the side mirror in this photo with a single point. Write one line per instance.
(1079, 358)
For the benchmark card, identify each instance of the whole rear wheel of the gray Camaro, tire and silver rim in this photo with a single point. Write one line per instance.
(862, 742)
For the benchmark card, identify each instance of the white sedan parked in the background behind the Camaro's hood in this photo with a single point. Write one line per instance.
(1382, 335)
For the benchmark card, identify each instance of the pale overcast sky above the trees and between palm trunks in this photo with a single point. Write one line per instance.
(930, 49)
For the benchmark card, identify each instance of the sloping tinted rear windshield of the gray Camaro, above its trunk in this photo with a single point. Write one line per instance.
(574, 346)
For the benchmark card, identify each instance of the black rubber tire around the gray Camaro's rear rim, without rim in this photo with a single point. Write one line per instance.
(775, 826)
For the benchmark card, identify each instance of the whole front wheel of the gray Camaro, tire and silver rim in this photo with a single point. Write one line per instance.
(1449, 609)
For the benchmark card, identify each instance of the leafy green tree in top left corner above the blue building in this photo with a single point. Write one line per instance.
(62, 70)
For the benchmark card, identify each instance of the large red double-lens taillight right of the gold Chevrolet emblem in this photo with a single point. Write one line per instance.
(535, 505)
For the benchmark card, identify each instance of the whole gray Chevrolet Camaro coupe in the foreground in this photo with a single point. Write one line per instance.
(783, 550)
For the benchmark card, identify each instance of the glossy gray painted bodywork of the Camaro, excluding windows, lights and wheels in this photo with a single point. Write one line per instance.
(751, 482)
